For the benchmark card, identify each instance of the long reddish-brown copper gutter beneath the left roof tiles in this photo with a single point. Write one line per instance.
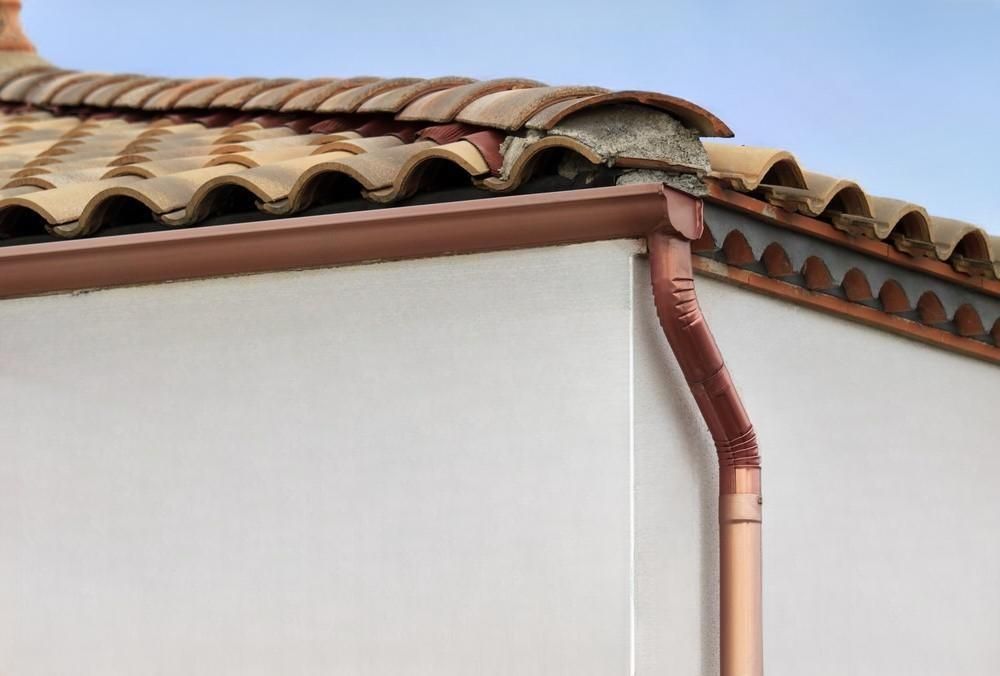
(317, 241)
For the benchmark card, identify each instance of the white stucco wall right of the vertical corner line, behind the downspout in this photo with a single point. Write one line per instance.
(881, 509)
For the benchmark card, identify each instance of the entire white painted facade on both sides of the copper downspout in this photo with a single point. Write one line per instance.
(476, 465)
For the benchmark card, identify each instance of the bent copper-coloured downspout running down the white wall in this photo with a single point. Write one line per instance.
(739, 460)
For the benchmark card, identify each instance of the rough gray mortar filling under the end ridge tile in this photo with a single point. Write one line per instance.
(625, 131)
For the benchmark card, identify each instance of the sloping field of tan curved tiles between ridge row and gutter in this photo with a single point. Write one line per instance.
(76, 175)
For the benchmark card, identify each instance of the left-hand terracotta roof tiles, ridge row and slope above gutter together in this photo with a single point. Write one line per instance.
(94, 147)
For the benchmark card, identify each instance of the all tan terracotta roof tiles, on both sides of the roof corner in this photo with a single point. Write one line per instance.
(276, 139)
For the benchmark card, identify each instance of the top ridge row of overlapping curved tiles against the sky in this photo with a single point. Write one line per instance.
(507, 104)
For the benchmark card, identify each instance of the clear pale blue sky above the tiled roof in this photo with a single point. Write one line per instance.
(903, 97)
